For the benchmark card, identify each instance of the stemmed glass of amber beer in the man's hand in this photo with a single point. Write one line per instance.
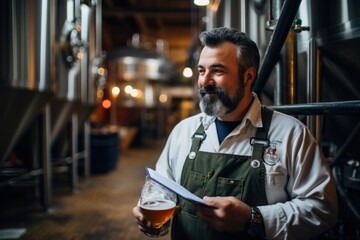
(158, 205)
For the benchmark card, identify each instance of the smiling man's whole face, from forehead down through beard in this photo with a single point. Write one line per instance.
(220, 89)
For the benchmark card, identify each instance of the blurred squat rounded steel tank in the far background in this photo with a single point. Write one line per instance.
(140, 68)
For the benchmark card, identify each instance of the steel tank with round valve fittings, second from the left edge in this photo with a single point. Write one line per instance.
(74, 35)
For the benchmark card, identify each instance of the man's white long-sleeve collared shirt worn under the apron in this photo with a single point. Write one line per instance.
(299, 186)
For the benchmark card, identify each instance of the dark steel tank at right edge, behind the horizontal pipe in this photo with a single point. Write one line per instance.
(329, 52)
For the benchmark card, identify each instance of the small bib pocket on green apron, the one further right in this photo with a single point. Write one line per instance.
(229, 187)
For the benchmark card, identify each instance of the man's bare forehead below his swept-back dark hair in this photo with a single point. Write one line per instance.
(224, 53)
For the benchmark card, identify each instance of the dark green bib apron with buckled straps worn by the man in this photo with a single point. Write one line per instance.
(218, 174)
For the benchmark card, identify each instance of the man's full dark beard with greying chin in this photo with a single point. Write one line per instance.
(220, 105)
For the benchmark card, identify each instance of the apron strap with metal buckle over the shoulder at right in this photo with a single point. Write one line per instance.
(260, 142)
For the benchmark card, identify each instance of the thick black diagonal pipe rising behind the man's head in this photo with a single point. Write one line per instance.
(277, 40)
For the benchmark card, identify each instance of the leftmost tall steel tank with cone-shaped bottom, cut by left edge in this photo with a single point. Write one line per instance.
(26, 65)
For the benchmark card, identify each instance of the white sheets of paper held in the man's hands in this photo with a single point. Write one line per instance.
(173, 186)
